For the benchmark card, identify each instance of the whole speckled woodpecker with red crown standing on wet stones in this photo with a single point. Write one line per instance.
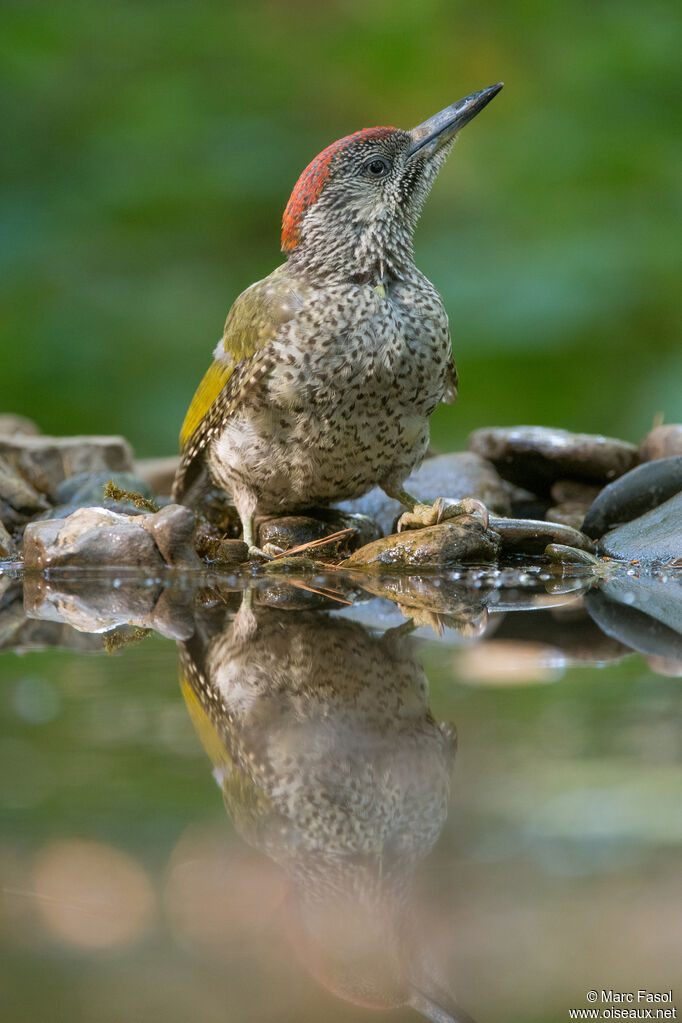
(329, 370)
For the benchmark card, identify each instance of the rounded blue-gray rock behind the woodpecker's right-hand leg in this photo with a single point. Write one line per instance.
(451, 476)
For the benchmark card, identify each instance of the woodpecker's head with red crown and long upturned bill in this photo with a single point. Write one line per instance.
(354, 209)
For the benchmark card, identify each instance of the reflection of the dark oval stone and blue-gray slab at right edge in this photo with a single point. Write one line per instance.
(646, 615)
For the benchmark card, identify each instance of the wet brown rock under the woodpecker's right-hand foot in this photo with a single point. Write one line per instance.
(459, 541)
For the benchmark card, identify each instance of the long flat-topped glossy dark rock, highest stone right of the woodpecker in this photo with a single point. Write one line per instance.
(537, 457)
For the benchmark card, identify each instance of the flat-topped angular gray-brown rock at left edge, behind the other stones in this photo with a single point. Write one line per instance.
(46, 462)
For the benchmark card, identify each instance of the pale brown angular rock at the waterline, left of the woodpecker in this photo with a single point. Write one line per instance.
(99, 538)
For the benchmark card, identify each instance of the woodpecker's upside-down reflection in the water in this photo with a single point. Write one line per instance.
(332, 764)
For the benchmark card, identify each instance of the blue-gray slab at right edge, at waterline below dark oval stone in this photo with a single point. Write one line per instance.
(655, 539)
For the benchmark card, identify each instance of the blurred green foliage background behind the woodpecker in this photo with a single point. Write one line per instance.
(151, 148)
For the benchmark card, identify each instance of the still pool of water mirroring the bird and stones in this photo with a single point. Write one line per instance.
(306, 799)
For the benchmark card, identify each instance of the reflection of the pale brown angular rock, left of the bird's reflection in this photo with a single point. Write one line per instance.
(96, 605)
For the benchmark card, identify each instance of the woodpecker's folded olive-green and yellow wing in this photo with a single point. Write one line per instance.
(243, 359)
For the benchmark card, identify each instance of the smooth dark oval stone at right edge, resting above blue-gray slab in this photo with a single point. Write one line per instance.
(639, 492)
